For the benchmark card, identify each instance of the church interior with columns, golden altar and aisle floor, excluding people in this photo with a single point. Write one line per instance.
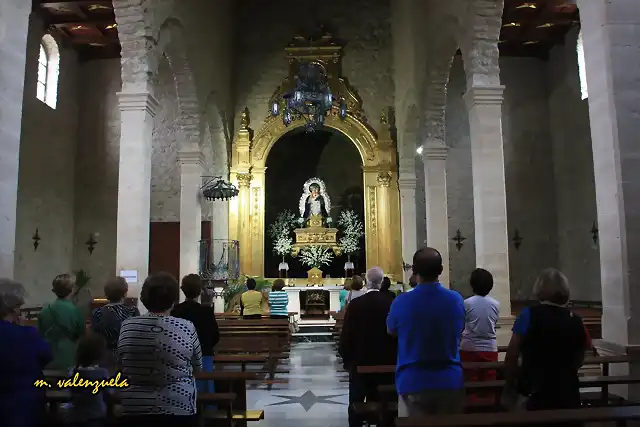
(145, 136)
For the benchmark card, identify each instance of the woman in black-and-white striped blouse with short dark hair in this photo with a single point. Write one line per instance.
(159, 354)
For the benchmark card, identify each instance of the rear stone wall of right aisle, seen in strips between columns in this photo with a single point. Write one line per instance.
(528, 171)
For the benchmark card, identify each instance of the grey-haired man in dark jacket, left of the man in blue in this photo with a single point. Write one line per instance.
(364, 342)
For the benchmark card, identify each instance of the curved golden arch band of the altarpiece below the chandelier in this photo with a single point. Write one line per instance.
(357, 131)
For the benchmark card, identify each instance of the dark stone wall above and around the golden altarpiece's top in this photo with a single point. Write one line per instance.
(260, 60)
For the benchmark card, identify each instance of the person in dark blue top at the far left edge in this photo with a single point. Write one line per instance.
(21, 361)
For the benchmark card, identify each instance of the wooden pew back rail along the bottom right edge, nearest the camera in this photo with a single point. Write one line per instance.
(619, 415)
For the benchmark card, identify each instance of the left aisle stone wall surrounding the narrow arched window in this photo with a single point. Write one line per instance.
(46, 176)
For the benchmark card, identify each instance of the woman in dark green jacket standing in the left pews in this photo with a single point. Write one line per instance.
(61, 323)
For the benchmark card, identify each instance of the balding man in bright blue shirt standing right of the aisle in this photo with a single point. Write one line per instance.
(428, 323)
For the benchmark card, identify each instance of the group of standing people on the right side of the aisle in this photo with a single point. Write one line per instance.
(428, 334)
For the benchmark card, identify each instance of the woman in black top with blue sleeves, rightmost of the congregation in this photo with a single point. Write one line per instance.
(552, 342)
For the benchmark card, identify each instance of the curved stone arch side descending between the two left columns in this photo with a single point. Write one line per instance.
(172, 44)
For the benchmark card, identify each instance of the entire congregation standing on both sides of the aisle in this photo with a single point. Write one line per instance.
(427, 334)
